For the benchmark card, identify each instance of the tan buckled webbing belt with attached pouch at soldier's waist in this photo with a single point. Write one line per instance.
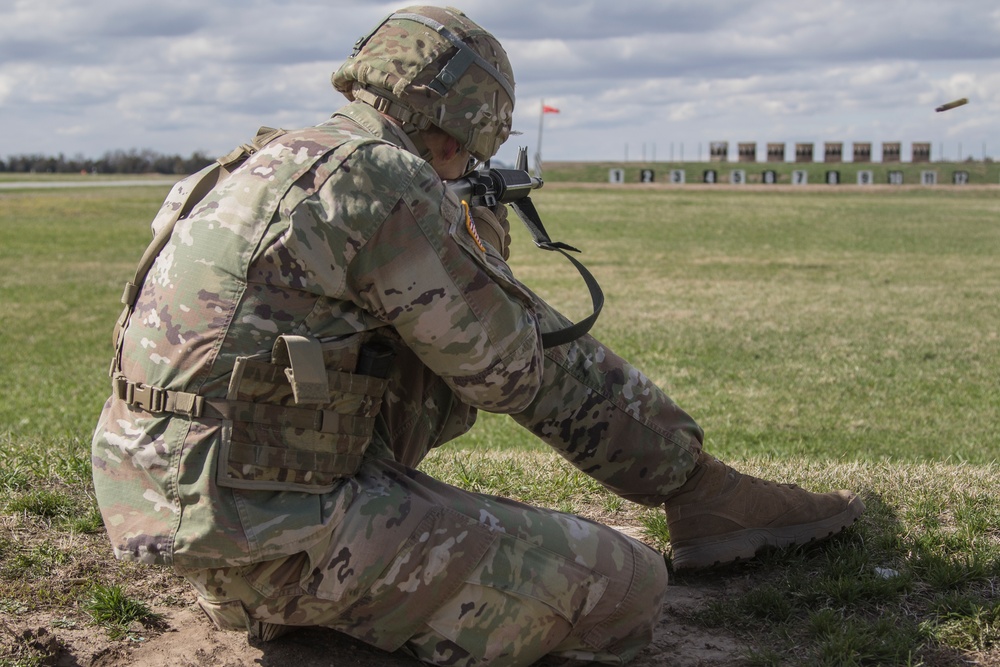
(277, 436)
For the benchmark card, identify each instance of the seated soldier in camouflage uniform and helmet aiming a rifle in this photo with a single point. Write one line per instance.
(315, 314)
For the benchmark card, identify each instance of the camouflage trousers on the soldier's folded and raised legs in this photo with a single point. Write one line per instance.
(458, 578)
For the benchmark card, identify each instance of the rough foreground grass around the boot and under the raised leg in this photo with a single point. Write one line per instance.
(913, 583)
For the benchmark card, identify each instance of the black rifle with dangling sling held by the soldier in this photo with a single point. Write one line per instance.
(491, 187)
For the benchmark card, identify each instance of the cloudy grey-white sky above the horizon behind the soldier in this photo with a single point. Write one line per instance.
(632, 78)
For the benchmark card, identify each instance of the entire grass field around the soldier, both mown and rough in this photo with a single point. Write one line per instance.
(833, 338)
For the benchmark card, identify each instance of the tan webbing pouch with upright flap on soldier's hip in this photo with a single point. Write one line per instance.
(292, 423)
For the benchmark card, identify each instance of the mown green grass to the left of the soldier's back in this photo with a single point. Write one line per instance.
(63, 256)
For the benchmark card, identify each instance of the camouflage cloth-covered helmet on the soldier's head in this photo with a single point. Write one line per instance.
(433, 66)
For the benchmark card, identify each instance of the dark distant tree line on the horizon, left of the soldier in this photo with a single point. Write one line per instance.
(113, 162)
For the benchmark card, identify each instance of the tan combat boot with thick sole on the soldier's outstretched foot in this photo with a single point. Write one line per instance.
(720, 516)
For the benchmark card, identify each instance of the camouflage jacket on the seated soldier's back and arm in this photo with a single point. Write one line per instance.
(334, 235)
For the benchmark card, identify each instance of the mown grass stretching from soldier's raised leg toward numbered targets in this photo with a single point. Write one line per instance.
(833, 325)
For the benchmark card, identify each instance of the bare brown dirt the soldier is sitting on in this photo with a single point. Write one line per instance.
(185, 638)
